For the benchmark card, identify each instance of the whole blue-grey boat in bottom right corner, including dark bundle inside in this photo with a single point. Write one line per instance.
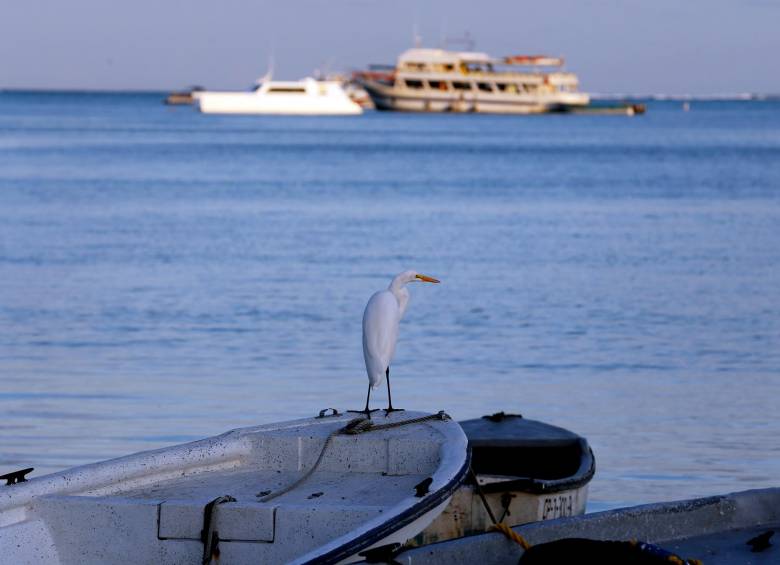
(733, 529)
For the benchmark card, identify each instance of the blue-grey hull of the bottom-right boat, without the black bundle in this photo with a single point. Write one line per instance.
(714, 529)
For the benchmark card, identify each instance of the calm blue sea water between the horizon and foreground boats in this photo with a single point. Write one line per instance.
(166, 275)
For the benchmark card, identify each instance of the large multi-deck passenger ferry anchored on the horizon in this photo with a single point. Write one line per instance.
(437, 80)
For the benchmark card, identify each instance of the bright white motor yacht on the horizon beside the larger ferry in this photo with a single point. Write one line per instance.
(304, 97)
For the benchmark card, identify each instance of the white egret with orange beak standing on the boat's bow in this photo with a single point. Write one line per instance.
(380, 330)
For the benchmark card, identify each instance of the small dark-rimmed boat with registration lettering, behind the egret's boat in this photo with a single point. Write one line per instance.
(524, 470)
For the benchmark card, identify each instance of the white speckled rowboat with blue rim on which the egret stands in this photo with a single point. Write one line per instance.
(296, 492)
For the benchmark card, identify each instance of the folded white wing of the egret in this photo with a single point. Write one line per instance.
(380, 334)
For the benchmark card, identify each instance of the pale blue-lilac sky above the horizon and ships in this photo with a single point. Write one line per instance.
(629, 46)
